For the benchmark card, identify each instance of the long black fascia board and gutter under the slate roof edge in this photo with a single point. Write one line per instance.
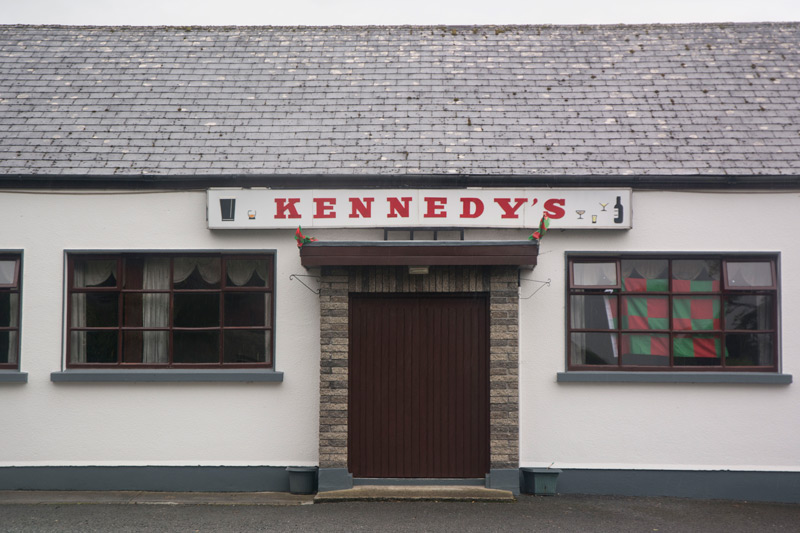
(393, 181)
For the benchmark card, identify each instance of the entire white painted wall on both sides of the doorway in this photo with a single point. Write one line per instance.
(626, 425)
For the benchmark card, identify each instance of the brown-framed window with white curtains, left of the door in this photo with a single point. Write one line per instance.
(160, 310)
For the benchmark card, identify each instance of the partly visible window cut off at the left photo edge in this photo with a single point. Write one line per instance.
(10, 286)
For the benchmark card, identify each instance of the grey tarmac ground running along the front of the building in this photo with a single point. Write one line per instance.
(209, 512)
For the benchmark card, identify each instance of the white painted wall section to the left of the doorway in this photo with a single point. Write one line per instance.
(149, 423)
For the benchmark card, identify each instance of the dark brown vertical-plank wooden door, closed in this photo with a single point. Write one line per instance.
(418, 386)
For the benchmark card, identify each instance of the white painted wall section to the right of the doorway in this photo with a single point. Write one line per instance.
(663, 426)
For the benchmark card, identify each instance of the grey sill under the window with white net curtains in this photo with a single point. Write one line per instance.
(171, 375)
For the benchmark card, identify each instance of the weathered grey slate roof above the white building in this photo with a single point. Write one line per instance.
(528, 100)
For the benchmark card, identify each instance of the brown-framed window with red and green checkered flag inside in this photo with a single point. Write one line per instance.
(679, 313)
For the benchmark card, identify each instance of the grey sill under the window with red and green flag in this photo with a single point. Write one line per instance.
(757, 378)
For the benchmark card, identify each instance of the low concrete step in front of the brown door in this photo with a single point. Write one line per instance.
(392, 493)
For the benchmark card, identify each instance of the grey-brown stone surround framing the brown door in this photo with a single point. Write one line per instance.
(500, 282)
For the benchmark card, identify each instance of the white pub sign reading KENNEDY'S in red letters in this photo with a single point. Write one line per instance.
(443, 208)
